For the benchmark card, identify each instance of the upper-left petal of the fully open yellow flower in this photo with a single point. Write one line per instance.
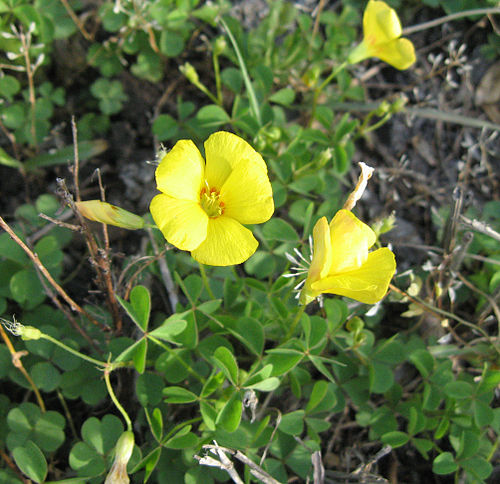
(180, 173)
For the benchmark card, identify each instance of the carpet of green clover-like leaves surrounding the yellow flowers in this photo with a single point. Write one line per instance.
(229, 364)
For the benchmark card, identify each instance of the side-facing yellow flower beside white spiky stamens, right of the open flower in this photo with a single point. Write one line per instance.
(342, 265)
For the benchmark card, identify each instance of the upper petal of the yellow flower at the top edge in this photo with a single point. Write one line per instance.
(380, 23)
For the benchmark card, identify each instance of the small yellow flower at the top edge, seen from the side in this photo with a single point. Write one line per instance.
(382, 32)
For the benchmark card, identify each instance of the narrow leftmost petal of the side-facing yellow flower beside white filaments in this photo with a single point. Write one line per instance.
(321, 261)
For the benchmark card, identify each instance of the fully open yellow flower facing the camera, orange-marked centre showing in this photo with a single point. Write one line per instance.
(203, 204)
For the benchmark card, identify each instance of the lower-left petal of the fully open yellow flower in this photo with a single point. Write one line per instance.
(182, 222)
